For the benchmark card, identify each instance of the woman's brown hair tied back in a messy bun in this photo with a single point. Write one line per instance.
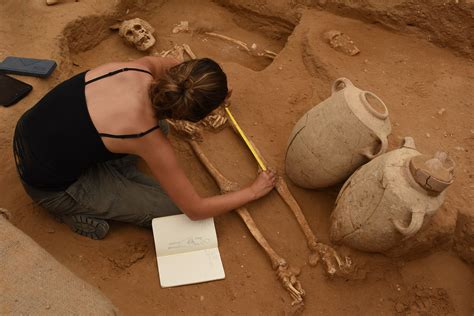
(189, 91)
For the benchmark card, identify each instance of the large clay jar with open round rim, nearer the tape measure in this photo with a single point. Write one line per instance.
(337, 136)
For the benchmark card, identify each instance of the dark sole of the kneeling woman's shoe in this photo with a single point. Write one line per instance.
(87, 225)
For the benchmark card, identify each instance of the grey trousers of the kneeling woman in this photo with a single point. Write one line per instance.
(114, 190)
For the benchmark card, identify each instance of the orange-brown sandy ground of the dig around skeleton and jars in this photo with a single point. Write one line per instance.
(416, 57)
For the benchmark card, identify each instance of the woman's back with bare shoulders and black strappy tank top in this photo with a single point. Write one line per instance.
(58, 138)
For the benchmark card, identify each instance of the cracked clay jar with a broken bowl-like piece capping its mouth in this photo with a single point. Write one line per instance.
(389, 198)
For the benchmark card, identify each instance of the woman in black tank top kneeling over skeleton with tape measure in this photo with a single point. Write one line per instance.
(76, 149)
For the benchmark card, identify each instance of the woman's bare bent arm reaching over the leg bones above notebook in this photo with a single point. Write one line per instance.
(159, 155)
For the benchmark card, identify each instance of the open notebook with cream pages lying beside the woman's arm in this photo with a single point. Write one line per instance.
(186, 250)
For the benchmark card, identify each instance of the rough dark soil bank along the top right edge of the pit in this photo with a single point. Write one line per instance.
(445, 23)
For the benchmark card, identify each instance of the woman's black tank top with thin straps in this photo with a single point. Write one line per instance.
(55, 141)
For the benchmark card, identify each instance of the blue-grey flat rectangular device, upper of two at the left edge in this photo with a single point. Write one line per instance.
(27, 66)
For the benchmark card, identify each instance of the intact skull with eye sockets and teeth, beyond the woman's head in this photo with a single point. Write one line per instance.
(138, 33)
